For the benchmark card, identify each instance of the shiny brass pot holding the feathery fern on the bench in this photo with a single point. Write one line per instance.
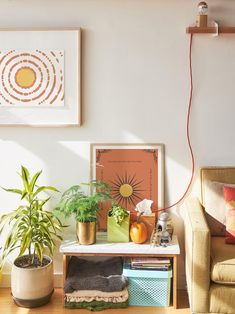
(86, 232)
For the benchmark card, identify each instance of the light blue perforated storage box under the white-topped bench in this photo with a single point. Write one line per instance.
(148, 287)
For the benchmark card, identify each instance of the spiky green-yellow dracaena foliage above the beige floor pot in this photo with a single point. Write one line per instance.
(31, 227)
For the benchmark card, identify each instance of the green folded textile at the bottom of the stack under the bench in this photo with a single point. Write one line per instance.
(96, 305)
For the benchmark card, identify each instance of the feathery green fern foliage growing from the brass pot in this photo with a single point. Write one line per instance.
(84, 206)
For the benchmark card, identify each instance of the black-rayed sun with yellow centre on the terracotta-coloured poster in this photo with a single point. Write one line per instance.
(126, 189)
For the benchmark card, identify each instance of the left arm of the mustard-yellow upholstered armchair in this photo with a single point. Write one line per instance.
(197, 252)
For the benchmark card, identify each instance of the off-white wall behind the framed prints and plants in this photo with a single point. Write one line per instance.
(135, 89)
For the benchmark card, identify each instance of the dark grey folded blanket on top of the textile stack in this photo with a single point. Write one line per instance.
(89, 275)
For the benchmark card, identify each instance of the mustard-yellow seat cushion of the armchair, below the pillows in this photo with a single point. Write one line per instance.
(223, 261)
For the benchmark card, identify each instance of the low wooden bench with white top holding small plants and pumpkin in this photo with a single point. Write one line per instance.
(102, 248)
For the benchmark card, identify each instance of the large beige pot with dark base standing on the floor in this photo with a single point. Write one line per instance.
(32, 287)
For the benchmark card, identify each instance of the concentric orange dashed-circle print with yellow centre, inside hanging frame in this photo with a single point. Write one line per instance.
(32, 78)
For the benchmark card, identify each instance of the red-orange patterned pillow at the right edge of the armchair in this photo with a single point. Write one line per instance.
(229, 196)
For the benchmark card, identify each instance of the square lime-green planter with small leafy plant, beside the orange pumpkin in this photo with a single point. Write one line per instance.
(118, 224)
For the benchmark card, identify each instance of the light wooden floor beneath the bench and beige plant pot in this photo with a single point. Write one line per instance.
(7, 306)
